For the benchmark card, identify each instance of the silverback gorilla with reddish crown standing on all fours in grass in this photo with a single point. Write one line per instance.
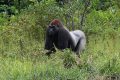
(61, 38)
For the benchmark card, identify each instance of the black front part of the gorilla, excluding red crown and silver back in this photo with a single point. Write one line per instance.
(58, 37)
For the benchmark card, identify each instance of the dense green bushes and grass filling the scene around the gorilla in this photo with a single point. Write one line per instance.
(22, 34)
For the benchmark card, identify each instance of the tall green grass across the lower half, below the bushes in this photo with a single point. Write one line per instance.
(27, 61)
